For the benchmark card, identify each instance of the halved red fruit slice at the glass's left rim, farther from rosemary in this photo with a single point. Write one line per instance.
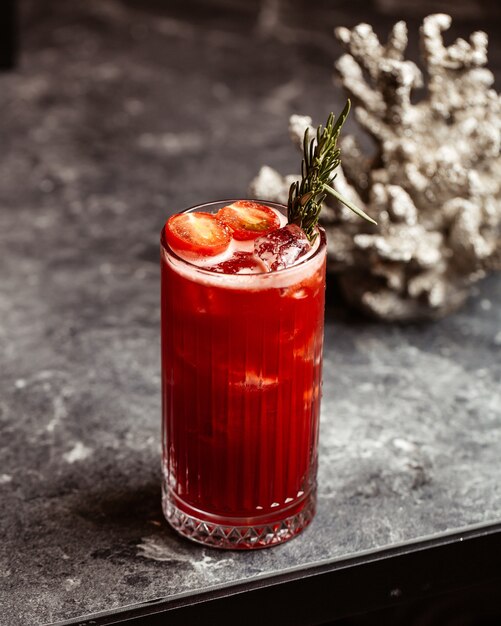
(197, 233)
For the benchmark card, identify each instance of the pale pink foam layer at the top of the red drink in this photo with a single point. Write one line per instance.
(195, 268)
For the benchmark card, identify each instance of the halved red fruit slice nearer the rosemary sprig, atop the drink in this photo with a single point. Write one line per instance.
(248, 220)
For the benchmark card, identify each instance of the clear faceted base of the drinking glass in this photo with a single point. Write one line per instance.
(248, 536)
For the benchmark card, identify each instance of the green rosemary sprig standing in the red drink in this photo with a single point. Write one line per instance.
(321, 156)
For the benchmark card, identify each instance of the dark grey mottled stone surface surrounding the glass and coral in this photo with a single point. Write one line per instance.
(119, 115)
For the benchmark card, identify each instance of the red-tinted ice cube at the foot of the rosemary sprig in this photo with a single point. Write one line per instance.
(282, 247)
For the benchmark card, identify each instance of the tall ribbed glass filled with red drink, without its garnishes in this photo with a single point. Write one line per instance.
(241, 384)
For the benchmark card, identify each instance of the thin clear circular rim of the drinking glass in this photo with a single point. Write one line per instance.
(165, 246)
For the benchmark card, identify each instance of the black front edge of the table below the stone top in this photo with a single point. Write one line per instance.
(329, 590)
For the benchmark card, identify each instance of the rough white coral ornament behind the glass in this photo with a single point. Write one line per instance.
(434, 184)
